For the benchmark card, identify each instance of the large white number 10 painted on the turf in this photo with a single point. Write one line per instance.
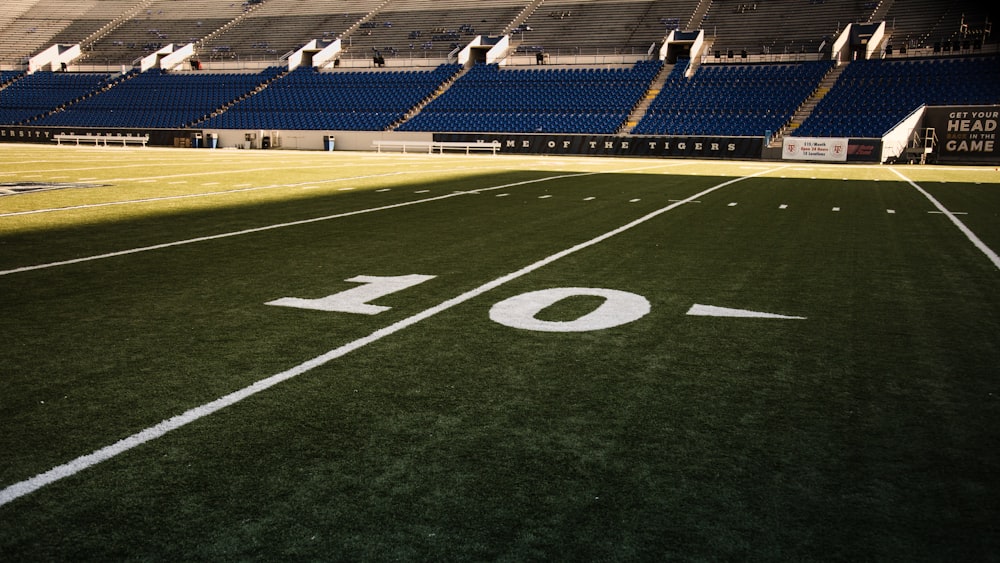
(520, 311)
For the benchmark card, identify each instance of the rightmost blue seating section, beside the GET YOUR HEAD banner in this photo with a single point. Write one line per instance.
(870, 97)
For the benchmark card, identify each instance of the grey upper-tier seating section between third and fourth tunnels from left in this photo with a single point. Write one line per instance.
(417, 28)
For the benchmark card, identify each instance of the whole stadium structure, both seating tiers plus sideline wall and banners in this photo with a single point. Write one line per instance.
(826, 80)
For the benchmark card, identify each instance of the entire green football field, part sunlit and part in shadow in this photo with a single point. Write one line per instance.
(495, 358)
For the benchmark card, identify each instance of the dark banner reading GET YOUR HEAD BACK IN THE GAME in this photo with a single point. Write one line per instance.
(966, 134)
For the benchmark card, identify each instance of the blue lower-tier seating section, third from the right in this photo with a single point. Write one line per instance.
(487, 98)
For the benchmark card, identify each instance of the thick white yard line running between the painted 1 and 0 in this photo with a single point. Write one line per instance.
(22, 488)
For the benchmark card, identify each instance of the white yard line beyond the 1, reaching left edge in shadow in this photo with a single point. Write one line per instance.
(282, 225)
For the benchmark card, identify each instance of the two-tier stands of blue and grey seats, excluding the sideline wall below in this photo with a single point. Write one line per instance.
(762, 64)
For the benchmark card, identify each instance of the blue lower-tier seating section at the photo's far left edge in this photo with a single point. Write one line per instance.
(41, 92)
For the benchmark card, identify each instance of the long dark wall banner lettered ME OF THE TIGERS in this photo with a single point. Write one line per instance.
(609, 145)
